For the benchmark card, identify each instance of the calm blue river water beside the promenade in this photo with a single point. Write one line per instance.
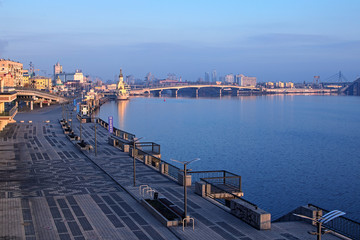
(289, 150)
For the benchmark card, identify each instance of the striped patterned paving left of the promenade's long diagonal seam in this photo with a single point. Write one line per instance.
(50, 190)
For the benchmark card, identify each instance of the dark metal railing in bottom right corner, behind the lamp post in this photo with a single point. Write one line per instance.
(341, 225)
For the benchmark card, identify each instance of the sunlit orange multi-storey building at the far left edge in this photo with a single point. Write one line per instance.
(11, 72)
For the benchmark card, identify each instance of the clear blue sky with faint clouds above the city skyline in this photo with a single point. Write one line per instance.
(278, 40)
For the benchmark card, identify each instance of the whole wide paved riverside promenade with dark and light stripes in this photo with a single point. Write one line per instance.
(49, 189)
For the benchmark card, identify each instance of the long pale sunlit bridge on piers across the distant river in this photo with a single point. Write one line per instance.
(196, 87)
